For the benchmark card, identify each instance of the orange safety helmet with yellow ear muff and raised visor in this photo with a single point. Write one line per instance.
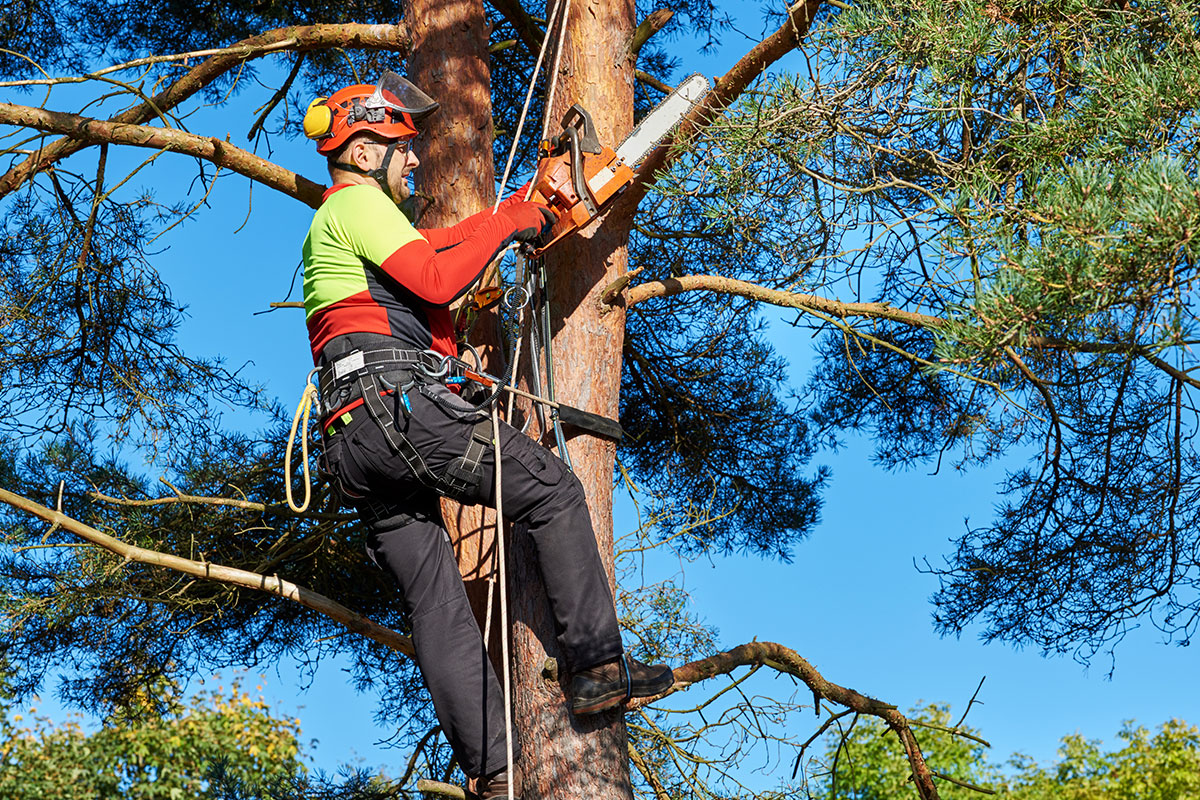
(391, 110)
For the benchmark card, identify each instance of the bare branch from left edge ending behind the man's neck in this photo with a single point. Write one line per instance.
(89, 131)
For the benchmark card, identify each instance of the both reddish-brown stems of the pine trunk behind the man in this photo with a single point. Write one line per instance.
(566, 759)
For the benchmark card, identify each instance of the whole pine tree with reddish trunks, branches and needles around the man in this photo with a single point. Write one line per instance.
(983, 214)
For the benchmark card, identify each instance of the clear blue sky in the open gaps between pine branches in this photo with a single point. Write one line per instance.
(853, 601)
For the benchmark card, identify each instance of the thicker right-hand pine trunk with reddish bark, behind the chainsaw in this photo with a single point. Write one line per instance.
(571, 757)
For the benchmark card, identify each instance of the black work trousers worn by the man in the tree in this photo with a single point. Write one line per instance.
(406, 537)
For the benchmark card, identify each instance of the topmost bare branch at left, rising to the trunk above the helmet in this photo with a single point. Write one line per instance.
(299, 39)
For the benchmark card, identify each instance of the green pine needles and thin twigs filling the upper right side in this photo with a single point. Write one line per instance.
(1024, 178)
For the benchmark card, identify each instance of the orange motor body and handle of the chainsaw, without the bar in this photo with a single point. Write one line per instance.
(577, 176)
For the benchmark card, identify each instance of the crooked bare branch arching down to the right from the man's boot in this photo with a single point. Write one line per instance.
(788, 661)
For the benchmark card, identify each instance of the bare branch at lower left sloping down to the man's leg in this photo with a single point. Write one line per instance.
(272, 585)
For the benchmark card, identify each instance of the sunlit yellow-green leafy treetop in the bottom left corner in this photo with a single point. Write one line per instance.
(160, 748)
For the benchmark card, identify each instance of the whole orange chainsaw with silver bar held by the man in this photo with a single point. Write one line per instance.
(578, 177)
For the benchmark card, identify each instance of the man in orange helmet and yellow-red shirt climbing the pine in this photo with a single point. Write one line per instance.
(377, 293)
